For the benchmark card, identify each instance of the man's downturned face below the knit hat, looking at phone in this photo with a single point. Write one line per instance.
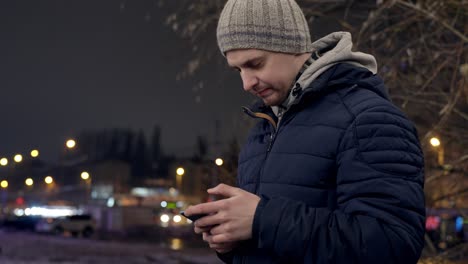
(268, 75)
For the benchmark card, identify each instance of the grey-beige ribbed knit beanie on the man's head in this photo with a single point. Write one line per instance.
(272, 25)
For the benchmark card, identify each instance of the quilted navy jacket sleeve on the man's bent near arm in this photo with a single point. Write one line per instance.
(380, 202)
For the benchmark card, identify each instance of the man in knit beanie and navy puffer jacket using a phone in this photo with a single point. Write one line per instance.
(333, 171)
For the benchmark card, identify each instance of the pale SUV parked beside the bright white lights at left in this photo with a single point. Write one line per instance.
(76, 225)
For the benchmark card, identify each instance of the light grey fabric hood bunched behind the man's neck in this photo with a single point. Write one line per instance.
(339, 46)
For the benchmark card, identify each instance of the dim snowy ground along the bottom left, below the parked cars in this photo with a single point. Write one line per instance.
(29, 248)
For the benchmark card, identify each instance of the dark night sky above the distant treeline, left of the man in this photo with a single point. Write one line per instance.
(72, 66)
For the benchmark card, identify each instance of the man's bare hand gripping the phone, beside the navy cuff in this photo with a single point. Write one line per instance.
(230, 219)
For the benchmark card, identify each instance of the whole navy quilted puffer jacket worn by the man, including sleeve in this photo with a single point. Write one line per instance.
(340, 180)
